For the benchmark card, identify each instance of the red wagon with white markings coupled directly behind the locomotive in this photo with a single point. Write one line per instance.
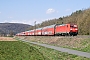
(48, 30)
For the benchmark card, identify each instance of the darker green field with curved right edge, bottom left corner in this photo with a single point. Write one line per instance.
(19, 51)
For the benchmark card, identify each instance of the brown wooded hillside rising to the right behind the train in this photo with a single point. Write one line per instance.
(80, 17)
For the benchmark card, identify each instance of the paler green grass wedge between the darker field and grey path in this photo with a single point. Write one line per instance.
(51, 54)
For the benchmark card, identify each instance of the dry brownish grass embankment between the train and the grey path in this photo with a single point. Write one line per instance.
(81, 43)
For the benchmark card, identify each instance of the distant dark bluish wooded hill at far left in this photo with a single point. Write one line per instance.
(12, 28)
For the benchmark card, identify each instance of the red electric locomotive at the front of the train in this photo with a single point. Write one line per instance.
(66, 29)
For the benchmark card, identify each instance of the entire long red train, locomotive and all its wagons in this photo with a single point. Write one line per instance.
(52, 30)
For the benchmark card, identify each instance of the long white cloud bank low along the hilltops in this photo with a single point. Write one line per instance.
(30, 22)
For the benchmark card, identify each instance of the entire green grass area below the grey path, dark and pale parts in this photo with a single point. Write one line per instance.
(18, 50)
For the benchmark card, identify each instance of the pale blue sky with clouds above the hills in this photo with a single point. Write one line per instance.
(29, 11)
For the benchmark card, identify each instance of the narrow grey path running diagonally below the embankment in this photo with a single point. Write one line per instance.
(79, 53)
